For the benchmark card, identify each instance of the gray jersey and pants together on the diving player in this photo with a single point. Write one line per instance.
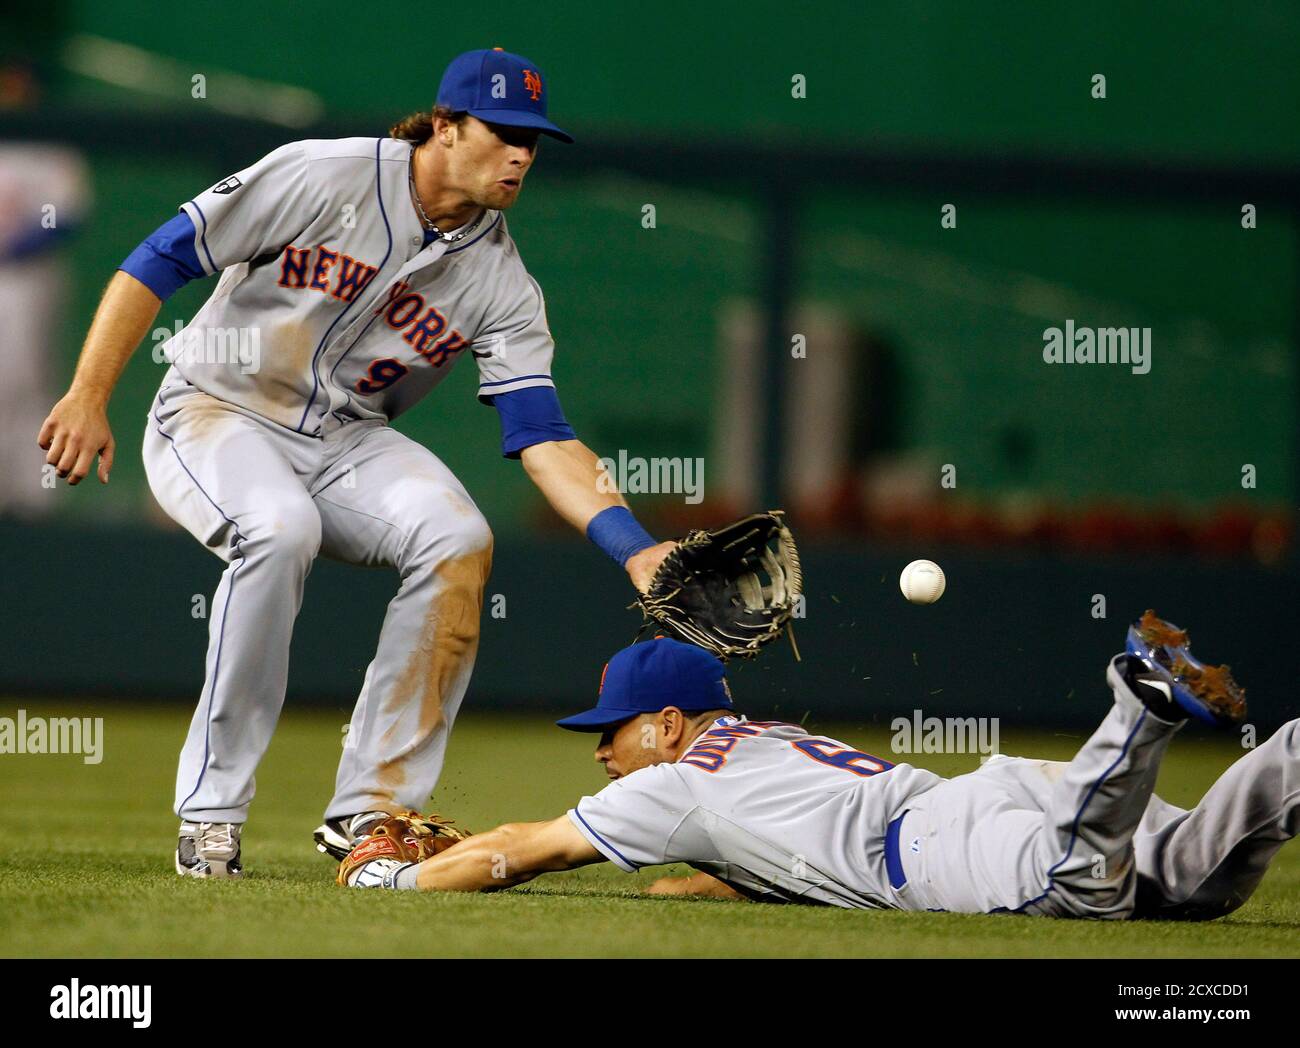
(783, 816)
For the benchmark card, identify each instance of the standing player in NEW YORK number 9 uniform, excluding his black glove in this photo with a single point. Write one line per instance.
(354, 275)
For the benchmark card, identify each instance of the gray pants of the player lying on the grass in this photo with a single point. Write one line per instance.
(1090, 838)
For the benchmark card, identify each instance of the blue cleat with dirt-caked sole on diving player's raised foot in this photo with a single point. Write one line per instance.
(1208, 694)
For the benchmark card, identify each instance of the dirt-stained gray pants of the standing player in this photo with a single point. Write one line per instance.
(267, 501)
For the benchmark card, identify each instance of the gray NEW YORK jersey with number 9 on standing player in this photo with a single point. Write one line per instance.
(340, 309)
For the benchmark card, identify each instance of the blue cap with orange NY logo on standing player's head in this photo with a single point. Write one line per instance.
(499, 88)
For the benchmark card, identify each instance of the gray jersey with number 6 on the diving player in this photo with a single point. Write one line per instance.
(777, 813)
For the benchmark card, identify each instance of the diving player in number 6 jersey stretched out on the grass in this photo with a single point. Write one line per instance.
(773, 813)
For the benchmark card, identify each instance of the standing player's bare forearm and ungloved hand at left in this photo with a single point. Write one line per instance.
(77, 428)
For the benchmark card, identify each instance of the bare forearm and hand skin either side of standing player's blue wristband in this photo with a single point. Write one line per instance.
(570, 475)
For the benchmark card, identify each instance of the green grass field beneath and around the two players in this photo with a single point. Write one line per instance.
(86, 865)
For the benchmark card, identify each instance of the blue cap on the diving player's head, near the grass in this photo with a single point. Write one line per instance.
(645, 678)
